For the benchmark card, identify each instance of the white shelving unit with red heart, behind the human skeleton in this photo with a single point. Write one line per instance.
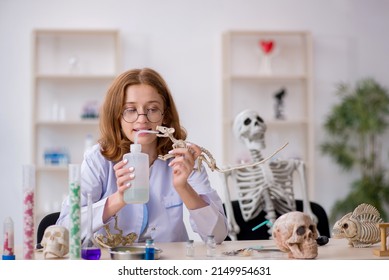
(247, 84)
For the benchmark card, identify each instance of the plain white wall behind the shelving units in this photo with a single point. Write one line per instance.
(182, 40)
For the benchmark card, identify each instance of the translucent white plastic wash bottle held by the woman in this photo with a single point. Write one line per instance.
(139, 190)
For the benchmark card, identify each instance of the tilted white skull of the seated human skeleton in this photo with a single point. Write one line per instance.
(250, 128)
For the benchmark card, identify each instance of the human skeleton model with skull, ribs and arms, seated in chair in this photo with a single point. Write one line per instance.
(266, 187)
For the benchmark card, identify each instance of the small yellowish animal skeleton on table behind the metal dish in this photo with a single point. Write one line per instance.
(113, 240)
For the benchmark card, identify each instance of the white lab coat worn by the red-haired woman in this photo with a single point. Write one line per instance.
(161, 218)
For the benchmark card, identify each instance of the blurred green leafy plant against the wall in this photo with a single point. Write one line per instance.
(354, 130)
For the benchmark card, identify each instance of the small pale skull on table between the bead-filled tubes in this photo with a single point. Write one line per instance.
(55, 241)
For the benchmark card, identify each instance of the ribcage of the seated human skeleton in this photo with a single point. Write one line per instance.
(266, 187)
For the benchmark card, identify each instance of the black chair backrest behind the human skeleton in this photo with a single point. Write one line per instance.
(246, 232)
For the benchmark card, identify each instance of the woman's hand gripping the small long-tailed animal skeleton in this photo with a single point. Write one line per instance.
(183, 164)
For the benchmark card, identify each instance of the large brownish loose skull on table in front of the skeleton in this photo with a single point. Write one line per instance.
(296, 234)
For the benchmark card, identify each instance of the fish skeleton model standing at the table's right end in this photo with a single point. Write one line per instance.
(360, 227)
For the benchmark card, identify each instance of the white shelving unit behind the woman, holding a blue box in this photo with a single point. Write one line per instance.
(72, 70)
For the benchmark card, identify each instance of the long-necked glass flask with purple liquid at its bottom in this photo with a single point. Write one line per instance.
(89, 249)
